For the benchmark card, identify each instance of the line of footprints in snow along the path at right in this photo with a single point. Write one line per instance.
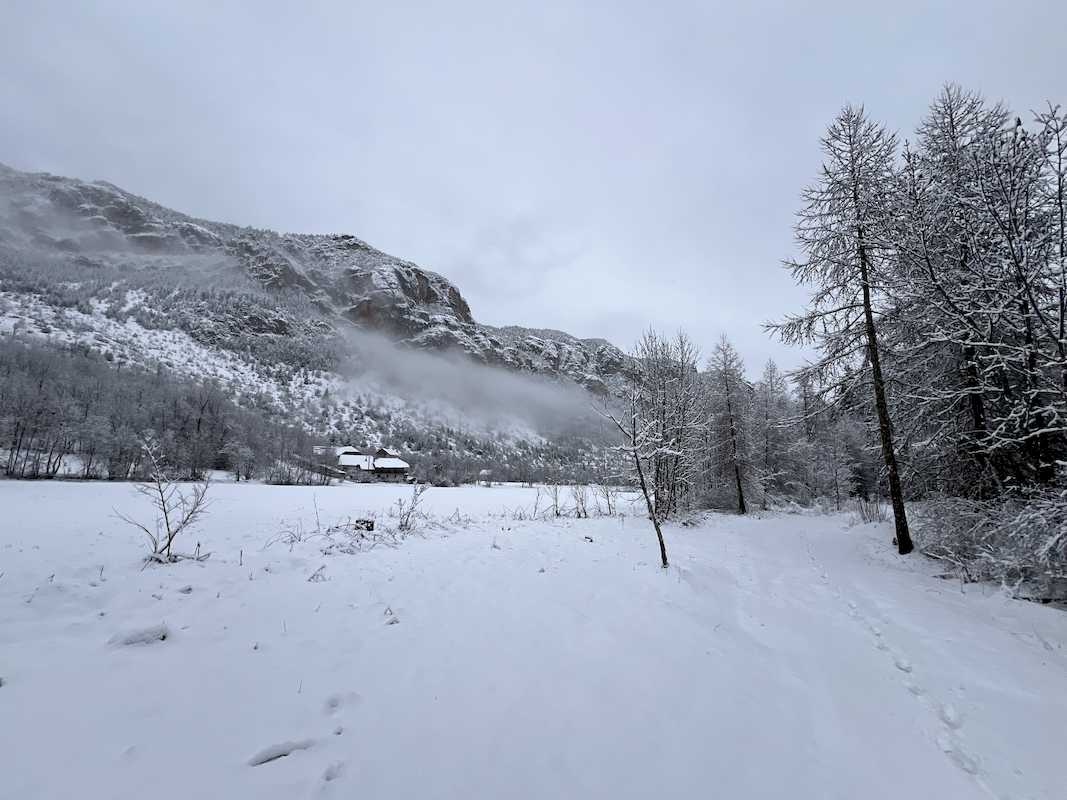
(949, 739)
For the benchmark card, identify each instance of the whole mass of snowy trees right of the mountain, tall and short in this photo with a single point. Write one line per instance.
(938, 311)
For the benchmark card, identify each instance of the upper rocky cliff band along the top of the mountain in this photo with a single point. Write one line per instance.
(348, 283)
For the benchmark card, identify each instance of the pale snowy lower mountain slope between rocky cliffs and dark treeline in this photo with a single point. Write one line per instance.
(377, 409)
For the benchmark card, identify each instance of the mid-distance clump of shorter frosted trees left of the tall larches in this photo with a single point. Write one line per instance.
(714, 439)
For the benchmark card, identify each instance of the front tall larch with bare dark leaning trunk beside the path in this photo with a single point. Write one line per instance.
(846, 230)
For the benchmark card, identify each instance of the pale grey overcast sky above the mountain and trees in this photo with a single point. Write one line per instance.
(593, 167)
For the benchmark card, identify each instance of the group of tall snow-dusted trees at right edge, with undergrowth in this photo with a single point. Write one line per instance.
(939, 275)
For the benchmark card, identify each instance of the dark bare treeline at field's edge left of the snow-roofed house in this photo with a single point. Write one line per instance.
(73, 413)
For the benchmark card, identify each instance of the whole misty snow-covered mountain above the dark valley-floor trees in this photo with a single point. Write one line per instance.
(327, 333)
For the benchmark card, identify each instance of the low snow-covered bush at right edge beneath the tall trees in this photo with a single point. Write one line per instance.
(1022, 543)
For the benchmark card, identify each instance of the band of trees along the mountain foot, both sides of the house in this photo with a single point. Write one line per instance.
(73, 412)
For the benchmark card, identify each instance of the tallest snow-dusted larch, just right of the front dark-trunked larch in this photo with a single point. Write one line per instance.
(941, 332)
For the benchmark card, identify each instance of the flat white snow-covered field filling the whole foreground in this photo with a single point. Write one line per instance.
(781, 658)
